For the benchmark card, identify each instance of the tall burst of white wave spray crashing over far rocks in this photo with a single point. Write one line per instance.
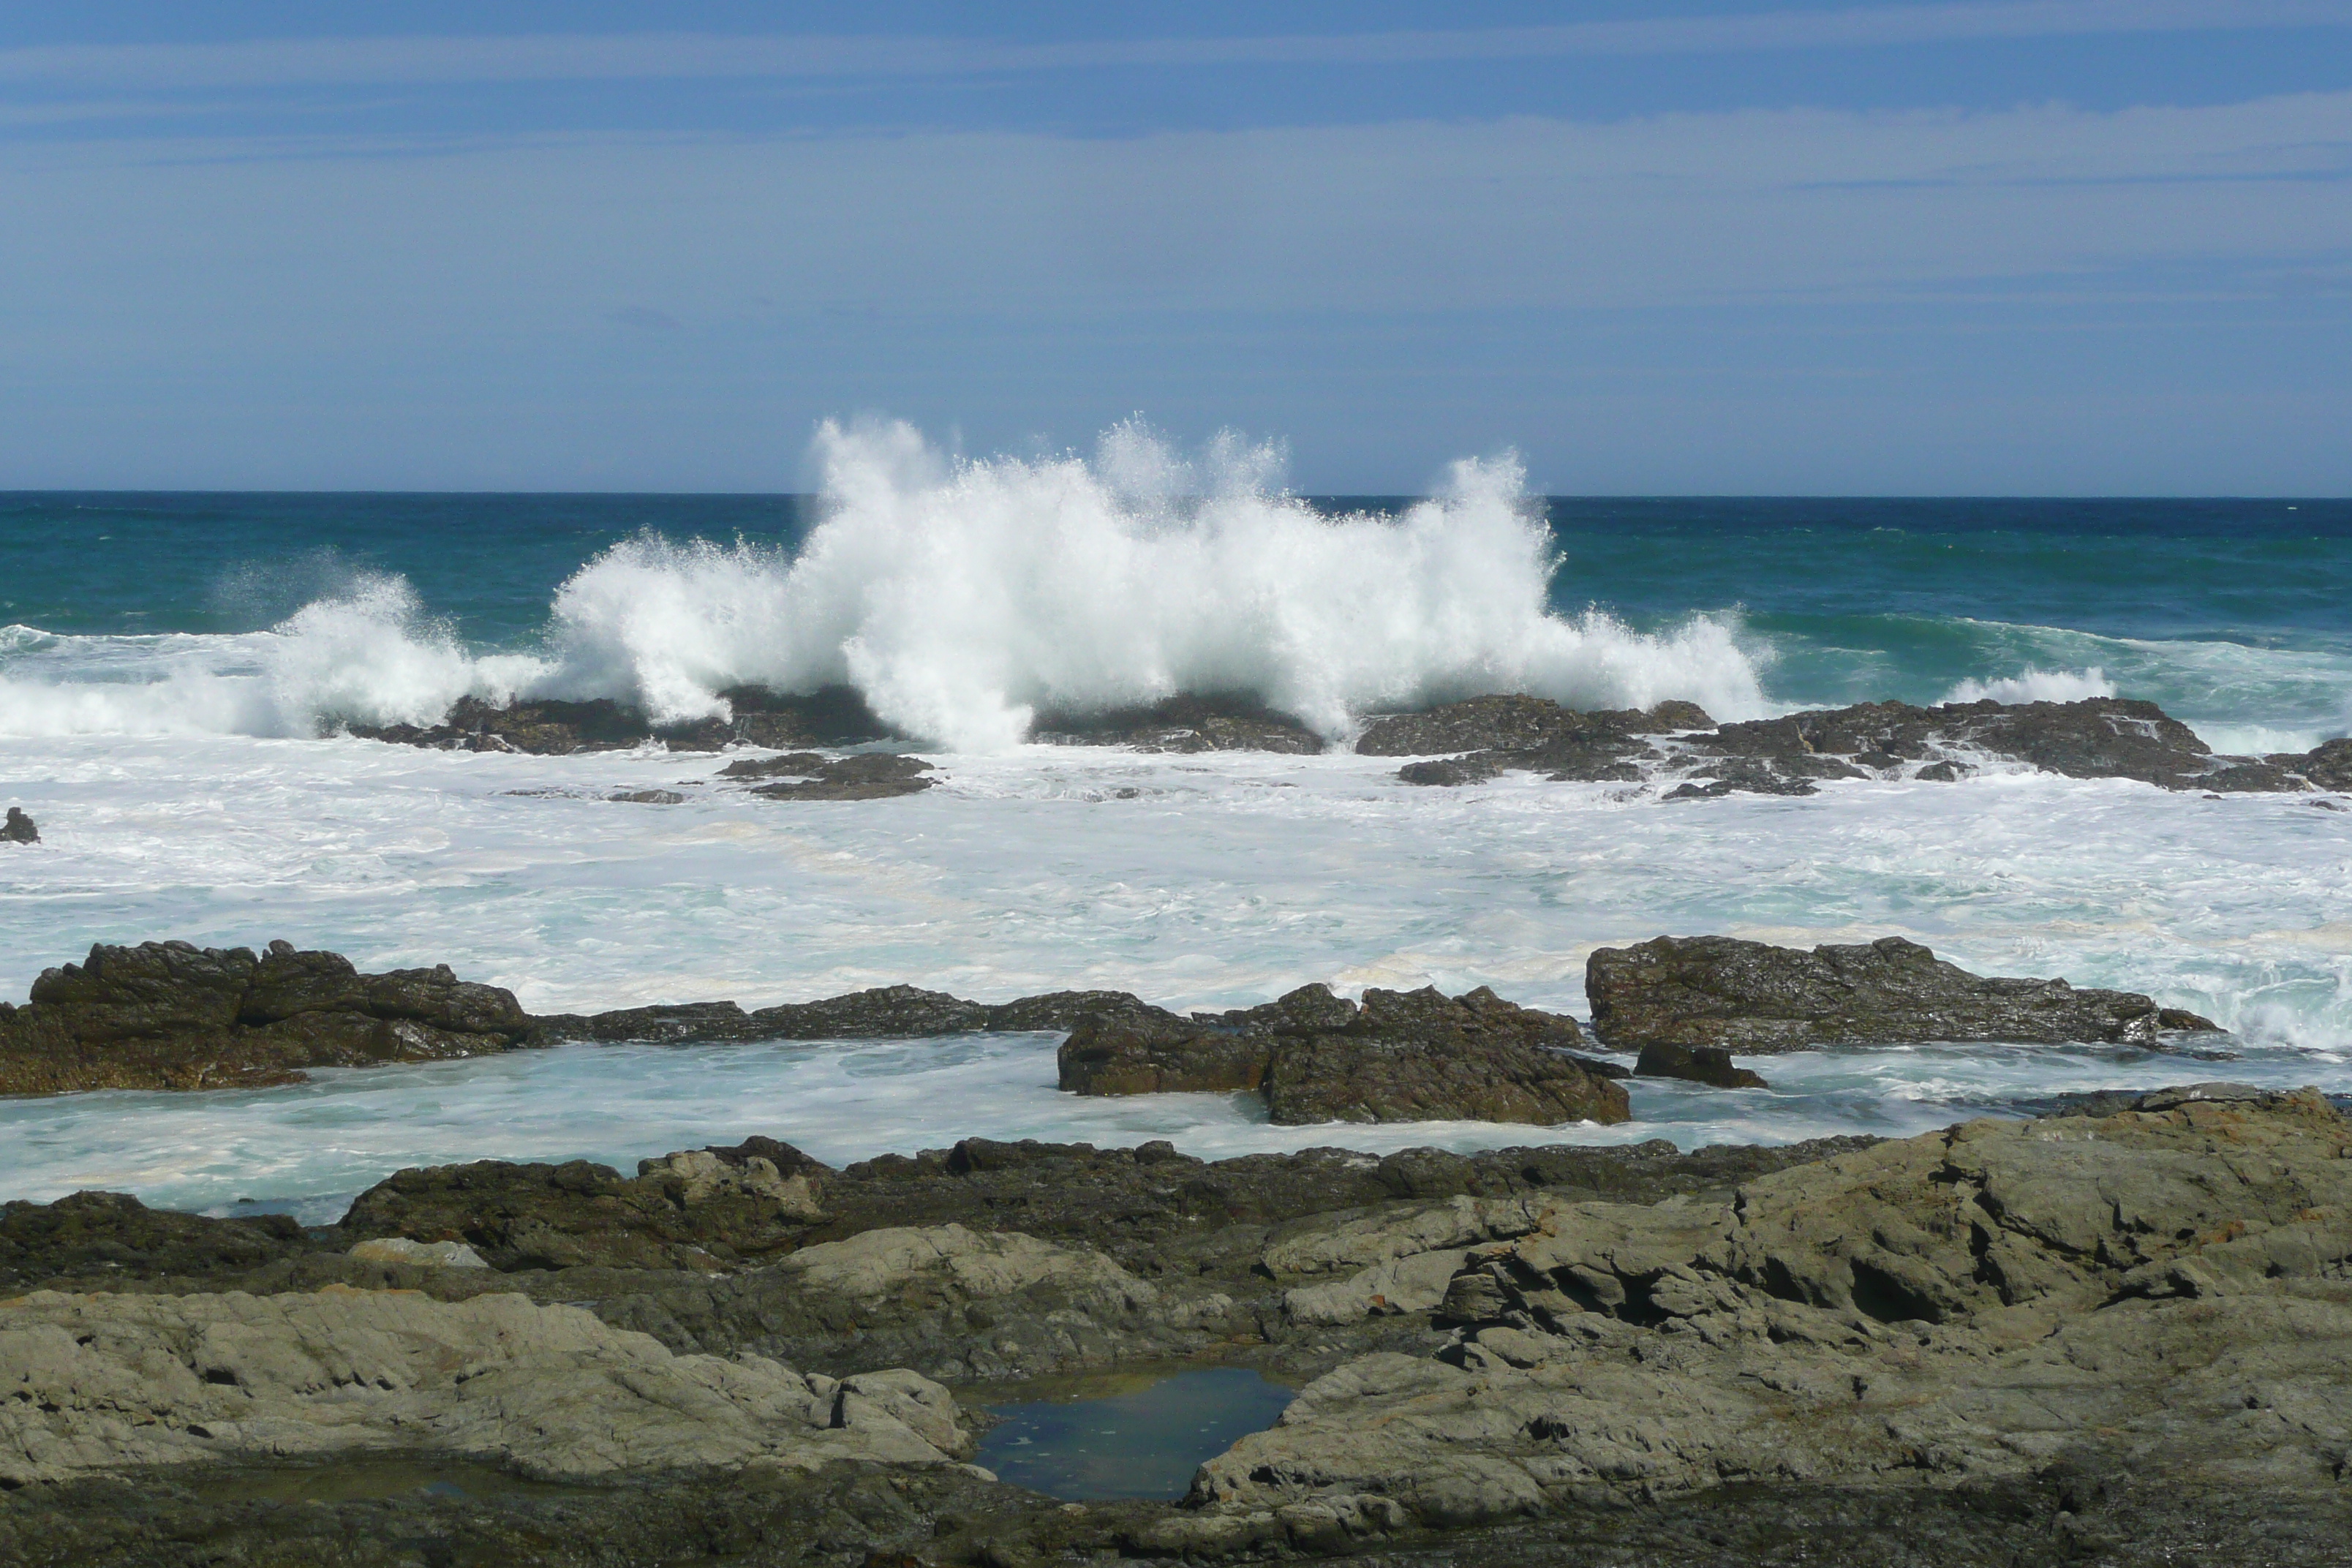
(961, 598)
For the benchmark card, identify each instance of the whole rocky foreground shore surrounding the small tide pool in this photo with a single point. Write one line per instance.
(2102, 1336)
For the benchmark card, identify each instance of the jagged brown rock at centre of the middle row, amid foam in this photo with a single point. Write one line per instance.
(1401, 1057)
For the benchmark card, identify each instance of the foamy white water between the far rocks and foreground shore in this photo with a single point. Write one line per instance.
(1191, 880)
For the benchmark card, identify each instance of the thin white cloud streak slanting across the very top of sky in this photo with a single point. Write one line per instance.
(326, 62)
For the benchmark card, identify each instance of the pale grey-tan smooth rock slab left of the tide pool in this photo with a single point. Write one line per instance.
(107, 1383)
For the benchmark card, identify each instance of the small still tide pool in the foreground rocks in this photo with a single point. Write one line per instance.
(1135, 1442)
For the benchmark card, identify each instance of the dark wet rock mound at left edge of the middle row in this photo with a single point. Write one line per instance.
(182, 1017)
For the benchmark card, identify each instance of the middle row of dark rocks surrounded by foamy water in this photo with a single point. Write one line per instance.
(182, 1017)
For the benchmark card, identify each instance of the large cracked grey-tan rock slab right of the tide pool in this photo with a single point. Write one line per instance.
(2153, 1294)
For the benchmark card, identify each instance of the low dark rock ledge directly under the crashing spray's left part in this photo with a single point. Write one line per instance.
(834, 716)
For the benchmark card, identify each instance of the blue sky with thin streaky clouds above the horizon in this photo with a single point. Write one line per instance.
(1652, 248)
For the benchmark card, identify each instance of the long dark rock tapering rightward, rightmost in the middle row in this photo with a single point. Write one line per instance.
(1718, 991)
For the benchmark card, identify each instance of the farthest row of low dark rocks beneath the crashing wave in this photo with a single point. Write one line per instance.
(1676, 749)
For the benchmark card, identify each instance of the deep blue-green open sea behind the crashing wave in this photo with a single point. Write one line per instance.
(2233, 612)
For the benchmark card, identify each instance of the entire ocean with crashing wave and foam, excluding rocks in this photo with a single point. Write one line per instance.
(175, 666)
